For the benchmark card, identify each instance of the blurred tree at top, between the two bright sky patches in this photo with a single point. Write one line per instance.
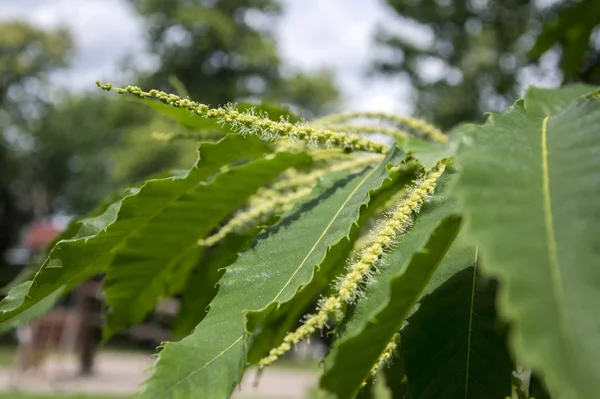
(211, 46)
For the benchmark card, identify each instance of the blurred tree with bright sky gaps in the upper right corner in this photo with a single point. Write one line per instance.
(465, 57)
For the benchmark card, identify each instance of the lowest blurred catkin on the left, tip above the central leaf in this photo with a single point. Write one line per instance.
(267, 206)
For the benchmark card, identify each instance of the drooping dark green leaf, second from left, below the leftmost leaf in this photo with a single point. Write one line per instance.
(166, 222)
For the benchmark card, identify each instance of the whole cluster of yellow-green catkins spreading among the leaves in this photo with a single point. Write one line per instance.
(337, 131)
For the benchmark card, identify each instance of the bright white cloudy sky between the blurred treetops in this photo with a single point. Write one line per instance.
(311, 34)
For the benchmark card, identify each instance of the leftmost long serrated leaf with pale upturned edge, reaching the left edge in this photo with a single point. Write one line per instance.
(91, 250)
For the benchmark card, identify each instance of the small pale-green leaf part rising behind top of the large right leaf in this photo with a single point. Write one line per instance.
(544, 102)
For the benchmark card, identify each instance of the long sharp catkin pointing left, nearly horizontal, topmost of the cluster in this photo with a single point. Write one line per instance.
(259, 125)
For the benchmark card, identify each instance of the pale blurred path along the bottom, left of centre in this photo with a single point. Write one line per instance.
(121, 374)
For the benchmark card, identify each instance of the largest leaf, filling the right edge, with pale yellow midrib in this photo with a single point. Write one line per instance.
(529, 188)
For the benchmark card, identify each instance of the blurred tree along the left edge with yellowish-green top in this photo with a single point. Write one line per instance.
(27, 55)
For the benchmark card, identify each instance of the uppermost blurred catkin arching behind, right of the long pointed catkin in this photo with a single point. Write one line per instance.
(425, 128)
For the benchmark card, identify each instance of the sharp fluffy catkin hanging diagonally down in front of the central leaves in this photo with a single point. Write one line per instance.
(349, 286)
